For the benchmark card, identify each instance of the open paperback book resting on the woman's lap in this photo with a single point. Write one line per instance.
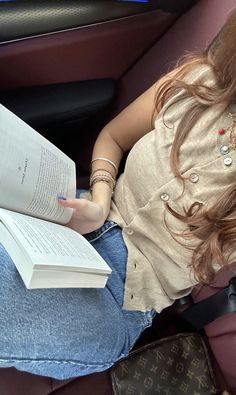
(33, 173)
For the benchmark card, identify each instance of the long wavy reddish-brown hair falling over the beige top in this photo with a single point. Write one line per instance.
(214, 226)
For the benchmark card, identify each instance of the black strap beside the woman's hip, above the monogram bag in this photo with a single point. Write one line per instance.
(207, 310)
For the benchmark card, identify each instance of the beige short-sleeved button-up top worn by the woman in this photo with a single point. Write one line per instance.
(158, 267)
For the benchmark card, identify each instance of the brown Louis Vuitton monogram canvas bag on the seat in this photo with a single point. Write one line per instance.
(178, 365)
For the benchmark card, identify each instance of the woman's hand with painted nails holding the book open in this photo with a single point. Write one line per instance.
(87, 215)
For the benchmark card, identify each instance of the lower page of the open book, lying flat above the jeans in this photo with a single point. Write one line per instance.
(49, 245)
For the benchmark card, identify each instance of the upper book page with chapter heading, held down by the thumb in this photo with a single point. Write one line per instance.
(33, 172)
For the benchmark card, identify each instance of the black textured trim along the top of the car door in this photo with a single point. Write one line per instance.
(19, 19)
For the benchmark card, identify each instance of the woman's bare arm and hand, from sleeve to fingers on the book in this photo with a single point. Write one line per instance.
(117, 137)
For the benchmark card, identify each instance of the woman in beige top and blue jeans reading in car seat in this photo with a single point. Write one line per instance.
(169, 224)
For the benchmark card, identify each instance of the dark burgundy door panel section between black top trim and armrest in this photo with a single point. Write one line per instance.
(103, 50)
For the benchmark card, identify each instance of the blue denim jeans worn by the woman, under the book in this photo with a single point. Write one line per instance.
(63, 333)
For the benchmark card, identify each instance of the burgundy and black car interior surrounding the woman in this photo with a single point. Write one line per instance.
(67, 68)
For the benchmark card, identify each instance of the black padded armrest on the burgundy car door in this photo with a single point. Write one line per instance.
(54, 104)
